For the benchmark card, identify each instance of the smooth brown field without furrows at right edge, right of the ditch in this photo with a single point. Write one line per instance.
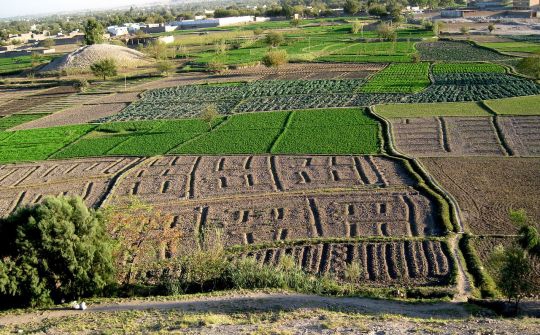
(486, 188)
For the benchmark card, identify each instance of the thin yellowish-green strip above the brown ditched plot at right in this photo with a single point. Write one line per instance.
(431, 109)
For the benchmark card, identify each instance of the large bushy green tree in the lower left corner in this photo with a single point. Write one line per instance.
(52, 251)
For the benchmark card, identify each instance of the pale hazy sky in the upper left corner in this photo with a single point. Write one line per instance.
(10, 8)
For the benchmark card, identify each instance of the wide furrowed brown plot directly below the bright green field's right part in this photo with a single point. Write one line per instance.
(184, 177)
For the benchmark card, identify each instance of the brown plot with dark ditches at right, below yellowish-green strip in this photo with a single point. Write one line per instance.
(467, 136)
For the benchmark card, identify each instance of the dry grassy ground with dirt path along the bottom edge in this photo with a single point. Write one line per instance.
(268, 313)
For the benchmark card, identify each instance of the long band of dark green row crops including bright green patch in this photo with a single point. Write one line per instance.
(398, 83)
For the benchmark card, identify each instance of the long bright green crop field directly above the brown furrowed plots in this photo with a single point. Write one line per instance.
(324, 131)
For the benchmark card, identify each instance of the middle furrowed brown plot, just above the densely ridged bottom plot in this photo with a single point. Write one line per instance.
(282, 217)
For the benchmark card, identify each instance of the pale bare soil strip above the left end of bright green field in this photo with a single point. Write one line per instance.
(75, 115)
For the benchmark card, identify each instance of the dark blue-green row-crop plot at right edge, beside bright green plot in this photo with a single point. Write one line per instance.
(453, 87)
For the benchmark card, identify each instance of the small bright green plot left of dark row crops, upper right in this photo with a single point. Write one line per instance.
(399, 78)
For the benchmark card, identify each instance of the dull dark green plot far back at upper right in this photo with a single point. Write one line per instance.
(454, 51)
